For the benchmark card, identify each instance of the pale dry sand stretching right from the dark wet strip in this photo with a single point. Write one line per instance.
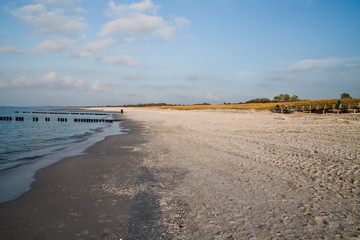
(232, 174)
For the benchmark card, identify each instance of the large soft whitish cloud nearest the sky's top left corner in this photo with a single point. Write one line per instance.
(49, 22)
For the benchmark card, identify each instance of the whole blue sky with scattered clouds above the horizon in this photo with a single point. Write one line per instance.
(109, 52)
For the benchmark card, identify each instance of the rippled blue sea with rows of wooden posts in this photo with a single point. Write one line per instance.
(37, 137)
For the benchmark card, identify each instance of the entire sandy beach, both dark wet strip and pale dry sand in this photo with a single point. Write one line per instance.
(210, 174)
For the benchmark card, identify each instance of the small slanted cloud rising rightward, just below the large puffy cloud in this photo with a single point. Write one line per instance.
(93, 49)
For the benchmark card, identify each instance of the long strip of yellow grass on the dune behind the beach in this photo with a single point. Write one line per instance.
(259, 106)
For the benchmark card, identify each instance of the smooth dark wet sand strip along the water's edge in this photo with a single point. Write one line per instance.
(66, 200)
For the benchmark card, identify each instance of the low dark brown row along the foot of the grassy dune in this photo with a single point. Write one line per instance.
(323, 108)
